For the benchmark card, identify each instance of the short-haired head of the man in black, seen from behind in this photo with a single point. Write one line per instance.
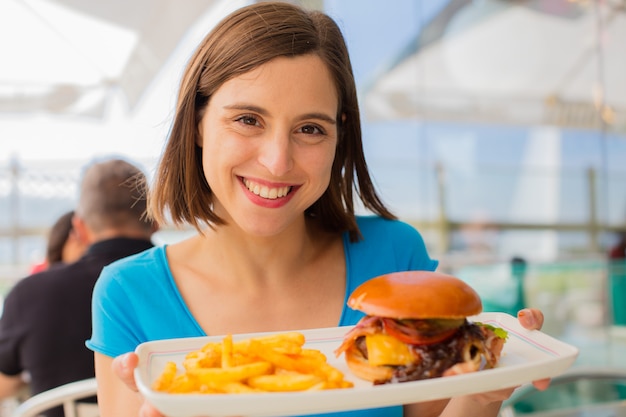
(113, 198)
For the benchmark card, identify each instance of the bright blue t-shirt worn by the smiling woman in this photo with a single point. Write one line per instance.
(136, 300)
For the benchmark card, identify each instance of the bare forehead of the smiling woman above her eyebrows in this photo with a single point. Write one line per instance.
(292, 81)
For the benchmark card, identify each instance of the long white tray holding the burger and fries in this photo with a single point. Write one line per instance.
(527, 356)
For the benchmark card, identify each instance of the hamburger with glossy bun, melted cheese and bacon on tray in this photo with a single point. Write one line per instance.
(416, 328)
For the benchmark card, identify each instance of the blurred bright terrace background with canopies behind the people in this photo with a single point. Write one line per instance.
(496, 127)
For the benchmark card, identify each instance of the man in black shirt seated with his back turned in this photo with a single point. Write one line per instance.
(47, 316)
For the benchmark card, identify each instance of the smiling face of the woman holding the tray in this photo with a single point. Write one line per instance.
(269, 138)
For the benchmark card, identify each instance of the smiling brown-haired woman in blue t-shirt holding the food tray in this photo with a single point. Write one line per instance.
(265, 159)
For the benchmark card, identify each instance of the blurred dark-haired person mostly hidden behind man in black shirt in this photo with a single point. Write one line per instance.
(63, 244)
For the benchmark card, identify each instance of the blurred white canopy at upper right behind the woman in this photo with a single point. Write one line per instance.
(523, 62)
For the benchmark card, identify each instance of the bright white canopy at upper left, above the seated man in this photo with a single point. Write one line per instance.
(68, 56)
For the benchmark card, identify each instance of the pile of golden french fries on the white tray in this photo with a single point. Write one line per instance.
(275, 363)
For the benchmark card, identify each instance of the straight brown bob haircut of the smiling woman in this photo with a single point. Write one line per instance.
(241, 42)
